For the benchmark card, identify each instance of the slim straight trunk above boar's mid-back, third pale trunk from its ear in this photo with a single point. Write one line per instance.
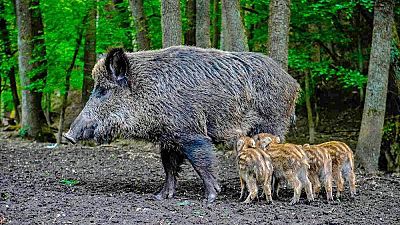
(203, 23)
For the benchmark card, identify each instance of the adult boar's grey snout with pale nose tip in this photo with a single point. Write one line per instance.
(81, 129)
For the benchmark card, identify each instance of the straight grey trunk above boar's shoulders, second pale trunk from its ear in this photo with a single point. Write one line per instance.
(171, 23)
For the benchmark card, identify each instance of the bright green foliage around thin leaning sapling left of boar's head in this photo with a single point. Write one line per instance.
(62, 20)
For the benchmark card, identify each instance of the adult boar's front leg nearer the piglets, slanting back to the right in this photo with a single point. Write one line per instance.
(199, 151)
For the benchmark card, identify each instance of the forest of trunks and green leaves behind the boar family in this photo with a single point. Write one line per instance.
(327, 45)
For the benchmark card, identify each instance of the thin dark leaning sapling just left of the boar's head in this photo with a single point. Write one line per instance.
(67, 82)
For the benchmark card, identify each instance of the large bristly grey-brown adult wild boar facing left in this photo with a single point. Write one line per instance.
(186, 99)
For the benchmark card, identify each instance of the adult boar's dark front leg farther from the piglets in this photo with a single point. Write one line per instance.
(172, 159)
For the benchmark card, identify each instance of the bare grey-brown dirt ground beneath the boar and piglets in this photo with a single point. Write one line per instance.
(114, 185)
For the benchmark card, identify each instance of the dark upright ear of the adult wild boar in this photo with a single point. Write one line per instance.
(117, 66)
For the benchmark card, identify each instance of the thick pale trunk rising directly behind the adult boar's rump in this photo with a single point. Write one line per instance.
(278, 31)
